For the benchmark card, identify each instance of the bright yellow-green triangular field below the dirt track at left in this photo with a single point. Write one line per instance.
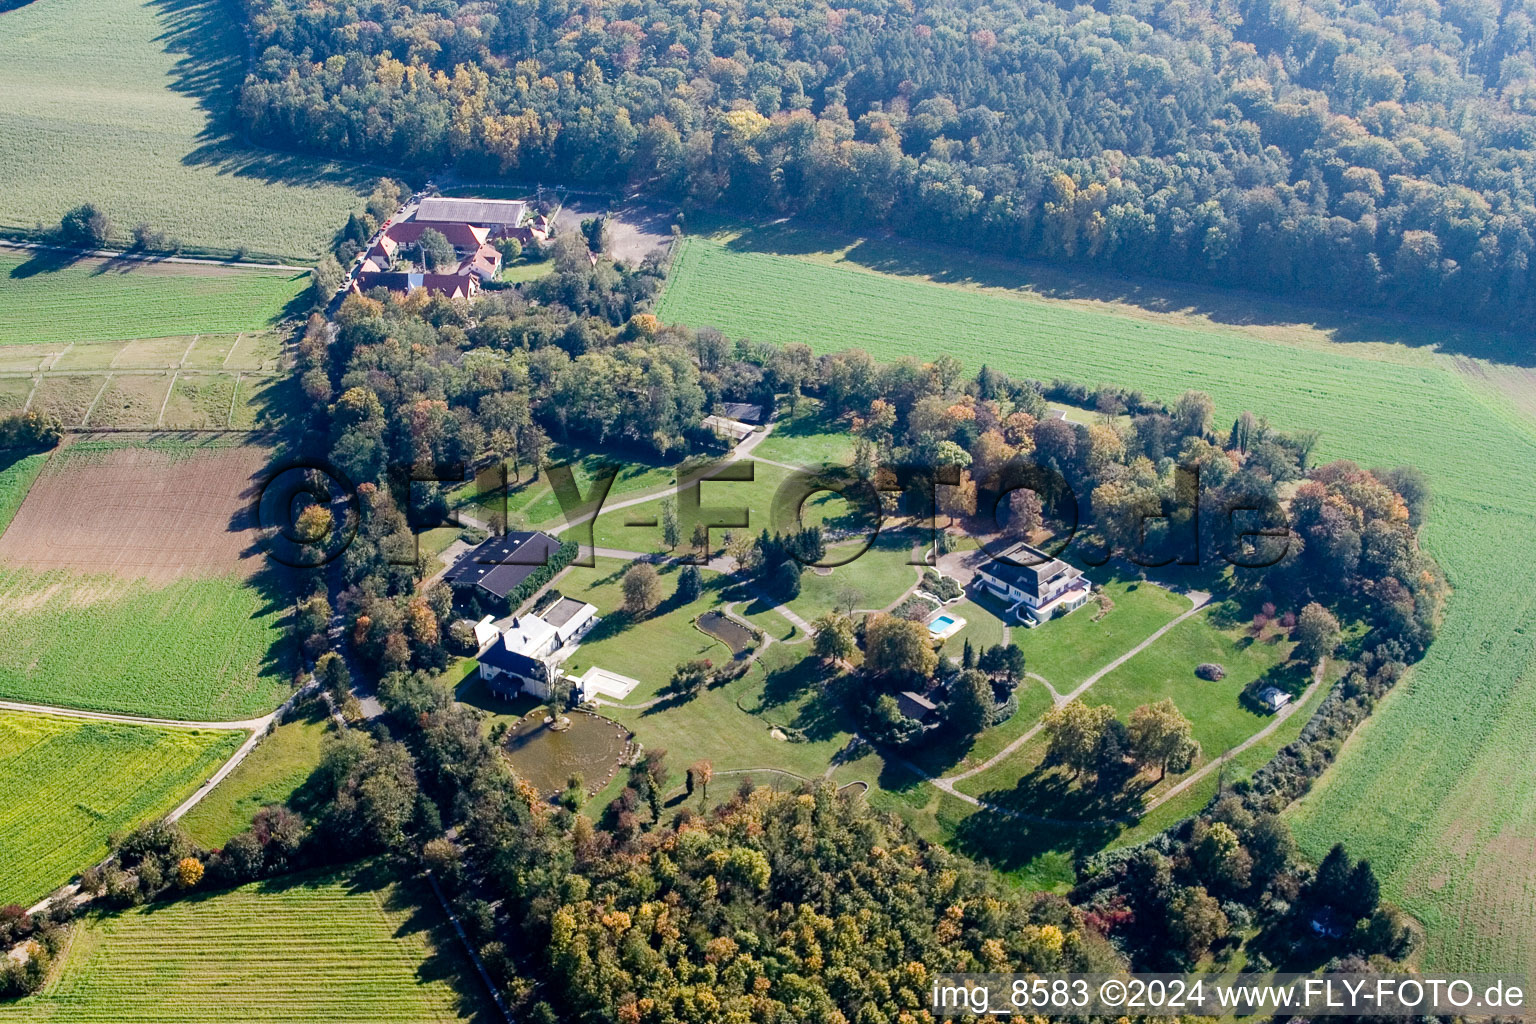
(71, 784)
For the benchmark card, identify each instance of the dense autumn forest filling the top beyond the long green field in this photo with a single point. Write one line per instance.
(1375, 154)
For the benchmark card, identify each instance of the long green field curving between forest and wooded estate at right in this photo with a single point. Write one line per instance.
(1434, 790)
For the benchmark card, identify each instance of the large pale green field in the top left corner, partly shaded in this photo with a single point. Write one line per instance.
(122, 104)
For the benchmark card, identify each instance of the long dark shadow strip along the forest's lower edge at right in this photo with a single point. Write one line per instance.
(1225, 306)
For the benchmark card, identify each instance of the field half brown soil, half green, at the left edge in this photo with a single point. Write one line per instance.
(125, 584)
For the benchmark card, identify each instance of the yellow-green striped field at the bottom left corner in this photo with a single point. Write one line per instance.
(343, 946)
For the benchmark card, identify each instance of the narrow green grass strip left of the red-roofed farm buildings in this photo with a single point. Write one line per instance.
(87, 302)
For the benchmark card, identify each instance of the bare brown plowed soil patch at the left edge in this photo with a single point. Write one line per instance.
(156, 514)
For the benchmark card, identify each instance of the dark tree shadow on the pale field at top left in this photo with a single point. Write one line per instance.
(213, 56)
